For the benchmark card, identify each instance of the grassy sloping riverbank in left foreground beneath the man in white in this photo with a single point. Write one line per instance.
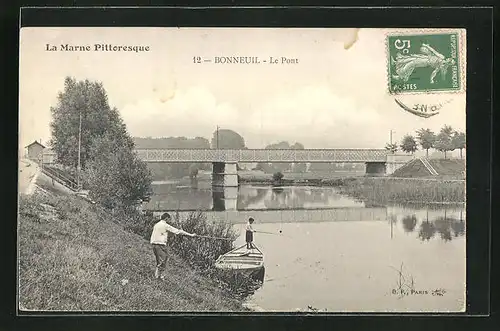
(74, 257)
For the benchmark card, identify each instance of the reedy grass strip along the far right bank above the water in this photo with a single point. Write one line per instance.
(401, 190)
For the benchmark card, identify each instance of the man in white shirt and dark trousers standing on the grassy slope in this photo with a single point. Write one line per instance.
(159, 239)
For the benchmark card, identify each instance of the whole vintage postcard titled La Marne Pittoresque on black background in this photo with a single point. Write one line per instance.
(242, 170)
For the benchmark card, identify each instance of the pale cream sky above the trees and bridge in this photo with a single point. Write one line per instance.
(334, 97)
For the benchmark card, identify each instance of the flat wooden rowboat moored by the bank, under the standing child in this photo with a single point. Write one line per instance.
(241, 260)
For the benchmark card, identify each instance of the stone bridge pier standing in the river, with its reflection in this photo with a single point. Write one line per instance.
(224, 185)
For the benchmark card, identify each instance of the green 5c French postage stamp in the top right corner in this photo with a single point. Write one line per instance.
(427, 62)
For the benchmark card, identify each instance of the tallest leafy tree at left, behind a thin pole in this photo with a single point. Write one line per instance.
(88, 100)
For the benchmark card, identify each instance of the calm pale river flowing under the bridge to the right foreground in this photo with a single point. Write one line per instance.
(336, 254)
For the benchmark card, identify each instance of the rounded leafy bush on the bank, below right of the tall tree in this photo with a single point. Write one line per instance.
(114, 174)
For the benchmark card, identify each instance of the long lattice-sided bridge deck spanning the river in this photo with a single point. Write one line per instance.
(263, 155)
